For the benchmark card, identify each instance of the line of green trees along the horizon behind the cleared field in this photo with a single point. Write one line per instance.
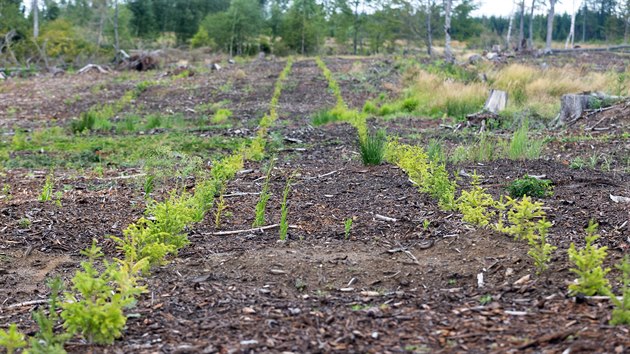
(85, 28)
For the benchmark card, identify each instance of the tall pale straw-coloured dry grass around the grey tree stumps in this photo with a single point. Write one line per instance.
(529, 88)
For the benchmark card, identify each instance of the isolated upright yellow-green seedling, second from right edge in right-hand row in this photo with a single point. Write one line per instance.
(588, 265)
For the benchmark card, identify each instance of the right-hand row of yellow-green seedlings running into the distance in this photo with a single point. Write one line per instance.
(523, 219)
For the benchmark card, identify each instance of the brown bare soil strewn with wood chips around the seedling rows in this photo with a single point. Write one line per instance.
(389, 287)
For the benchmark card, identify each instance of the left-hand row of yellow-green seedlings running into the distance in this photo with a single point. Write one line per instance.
(100, 292)
